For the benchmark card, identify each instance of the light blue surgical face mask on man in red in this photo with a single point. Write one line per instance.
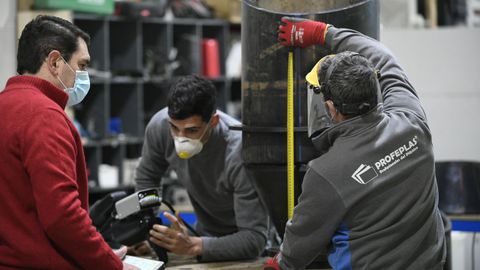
(80, 88)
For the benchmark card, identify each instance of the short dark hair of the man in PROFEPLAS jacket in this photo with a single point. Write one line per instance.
(351, 82)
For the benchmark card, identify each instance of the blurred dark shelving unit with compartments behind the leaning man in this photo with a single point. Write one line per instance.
(134, 62)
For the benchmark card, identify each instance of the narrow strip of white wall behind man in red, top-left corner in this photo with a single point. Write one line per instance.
(8, 51)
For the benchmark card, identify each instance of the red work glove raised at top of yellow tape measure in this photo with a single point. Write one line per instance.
(300, 32)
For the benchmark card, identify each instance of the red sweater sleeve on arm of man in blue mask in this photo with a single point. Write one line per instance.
(55, 188)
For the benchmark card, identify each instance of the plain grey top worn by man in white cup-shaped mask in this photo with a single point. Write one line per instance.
(229, 213)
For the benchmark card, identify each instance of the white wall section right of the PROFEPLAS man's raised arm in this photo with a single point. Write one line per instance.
(444, 67)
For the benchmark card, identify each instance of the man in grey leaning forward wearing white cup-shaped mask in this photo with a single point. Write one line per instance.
(193, 138)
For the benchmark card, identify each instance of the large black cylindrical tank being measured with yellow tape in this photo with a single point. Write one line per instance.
(264, 88)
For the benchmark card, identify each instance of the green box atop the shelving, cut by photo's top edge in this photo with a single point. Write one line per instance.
(104, 7)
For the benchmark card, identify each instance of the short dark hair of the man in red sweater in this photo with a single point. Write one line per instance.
(44, 34)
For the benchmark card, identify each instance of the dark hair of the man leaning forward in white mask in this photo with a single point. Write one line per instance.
(192, 95)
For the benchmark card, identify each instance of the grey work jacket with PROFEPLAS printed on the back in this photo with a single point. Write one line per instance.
(370, 202)
